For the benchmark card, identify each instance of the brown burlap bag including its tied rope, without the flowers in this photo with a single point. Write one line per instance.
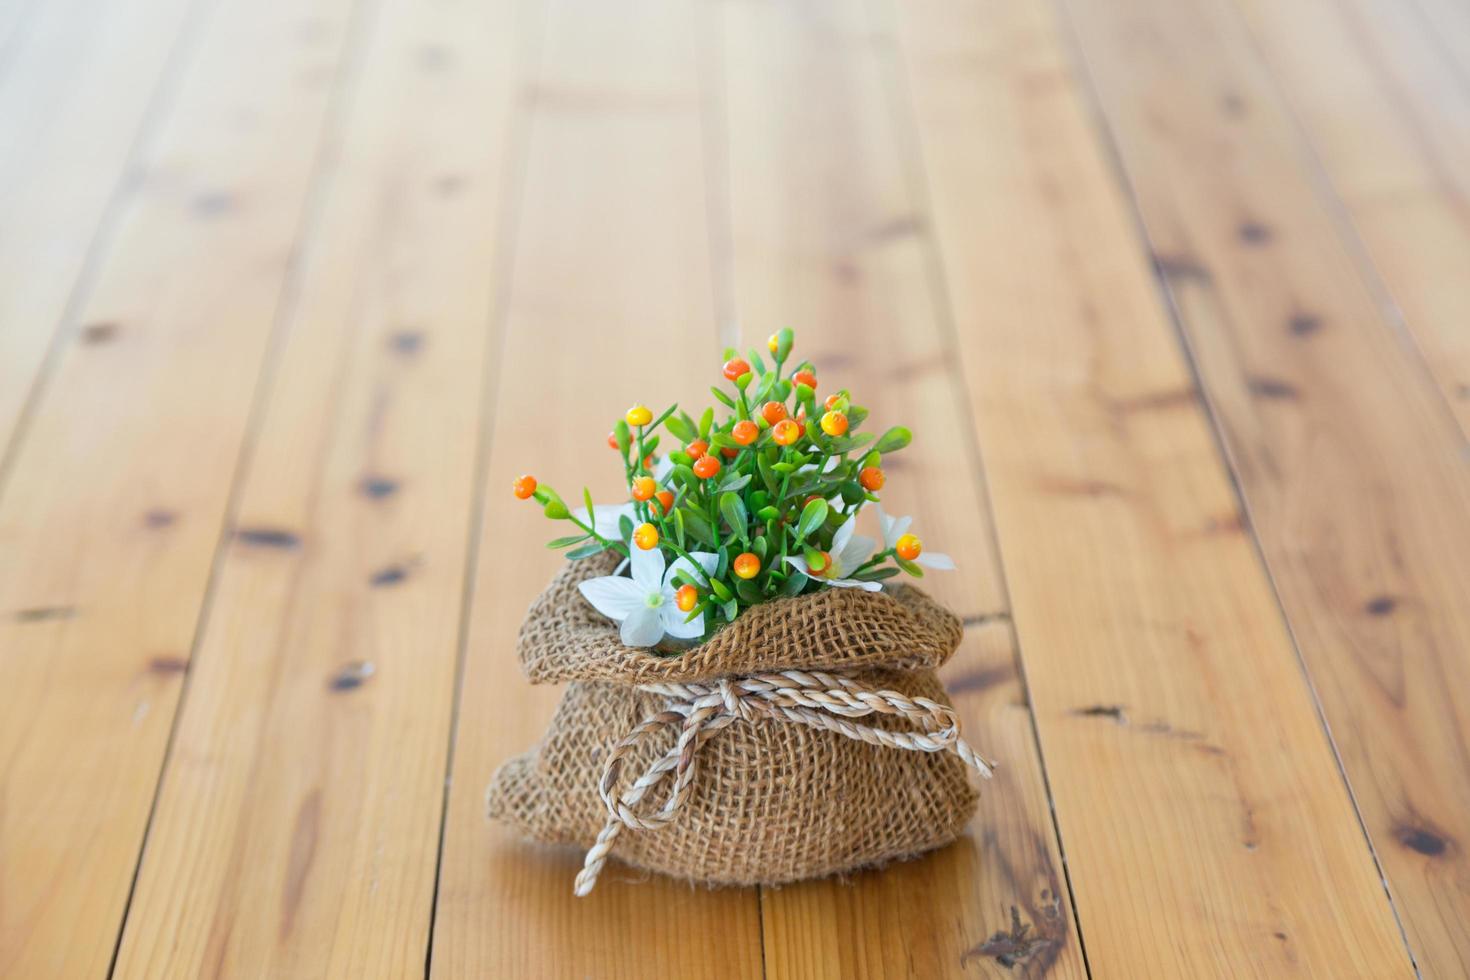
(808, 738)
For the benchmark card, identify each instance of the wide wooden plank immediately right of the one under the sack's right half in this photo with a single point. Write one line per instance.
(1206, 825)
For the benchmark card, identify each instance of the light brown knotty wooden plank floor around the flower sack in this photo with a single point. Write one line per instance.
(1174, 293)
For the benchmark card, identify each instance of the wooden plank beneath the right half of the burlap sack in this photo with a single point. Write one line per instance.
(833, 242)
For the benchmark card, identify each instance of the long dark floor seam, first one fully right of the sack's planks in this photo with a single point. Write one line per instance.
(1115, 164)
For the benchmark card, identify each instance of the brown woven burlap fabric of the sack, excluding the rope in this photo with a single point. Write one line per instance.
(772, 801)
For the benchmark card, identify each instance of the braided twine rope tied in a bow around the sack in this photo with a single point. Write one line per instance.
(818, 700)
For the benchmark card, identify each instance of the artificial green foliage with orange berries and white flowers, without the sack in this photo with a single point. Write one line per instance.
(753, 508)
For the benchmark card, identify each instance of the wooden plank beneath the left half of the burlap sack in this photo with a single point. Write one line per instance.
(611, 303)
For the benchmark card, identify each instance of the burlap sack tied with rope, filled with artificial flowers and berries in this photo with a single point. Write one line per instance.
(733, 606)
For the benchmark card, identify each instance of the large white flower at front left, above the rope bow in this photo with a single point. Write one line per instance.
(645, 603)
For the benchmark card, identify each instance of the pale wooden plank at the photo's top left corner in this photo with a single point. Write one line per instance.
(76, 93)
